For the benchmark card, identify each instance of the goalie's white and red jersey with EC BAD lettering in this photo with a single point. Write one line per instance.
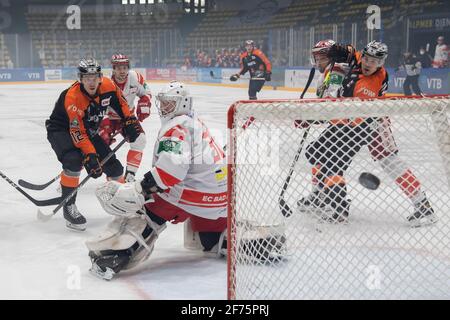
(191, 168)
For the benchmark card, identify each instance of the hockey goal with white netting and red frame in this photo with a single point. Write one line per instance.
(381, 250)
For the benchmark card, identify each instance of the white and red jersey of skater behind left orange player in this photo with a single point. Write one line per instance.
(133, 87)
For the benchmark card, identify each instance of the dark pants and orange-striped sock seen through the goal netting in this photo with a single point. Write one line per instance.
(333, 153)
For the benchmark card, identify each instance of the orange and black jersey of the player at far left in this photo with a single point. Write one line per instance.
(81, 114)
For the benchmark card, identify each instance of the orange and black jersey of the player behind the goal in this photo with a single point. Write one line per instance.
(356, 84)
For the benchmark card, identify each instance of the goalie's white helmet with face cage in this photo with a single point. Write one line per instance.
(174, 100)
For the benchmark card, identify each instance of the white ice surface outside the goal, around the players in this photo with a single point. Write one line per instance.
(47, 261)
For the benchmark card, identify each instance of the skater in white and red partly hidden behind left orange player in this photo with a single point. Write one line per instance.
(133, 85)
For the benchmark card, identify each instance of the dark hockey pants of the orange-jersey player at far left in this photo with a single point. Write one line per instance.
(72, 158)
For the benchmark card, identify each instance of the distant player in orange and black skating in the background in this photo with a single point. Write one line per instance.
(256, 63)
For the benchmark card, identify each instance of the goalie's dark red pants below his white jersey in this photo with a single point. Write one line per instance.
(172, 213)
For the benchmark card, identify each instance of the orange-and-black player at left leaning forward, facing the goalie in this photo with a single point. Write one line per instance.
(72, 131)
